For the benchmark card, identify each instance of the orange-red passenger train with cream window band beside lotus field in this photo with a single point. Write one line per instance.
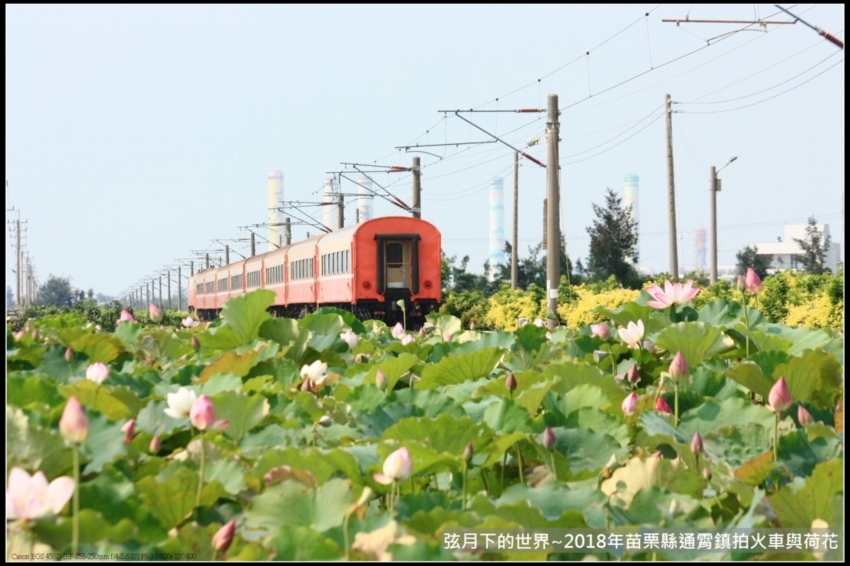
(365, 268)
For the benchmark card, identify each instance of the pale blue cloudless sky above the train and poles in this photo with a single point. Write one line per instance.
(137, 134)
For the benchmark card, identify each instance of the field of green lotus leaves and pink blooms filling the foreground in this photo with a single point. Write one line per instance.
(329, 438)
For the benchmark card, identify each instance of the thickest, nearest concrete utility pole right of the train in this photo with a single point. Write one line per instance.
(553, 256)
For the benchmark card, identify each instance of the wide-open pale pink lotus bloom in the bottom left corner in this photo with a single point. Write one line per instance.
(31, 497)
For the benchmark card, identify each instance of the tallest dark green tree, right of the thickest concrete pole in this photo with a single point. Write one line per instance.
(613, 241)
